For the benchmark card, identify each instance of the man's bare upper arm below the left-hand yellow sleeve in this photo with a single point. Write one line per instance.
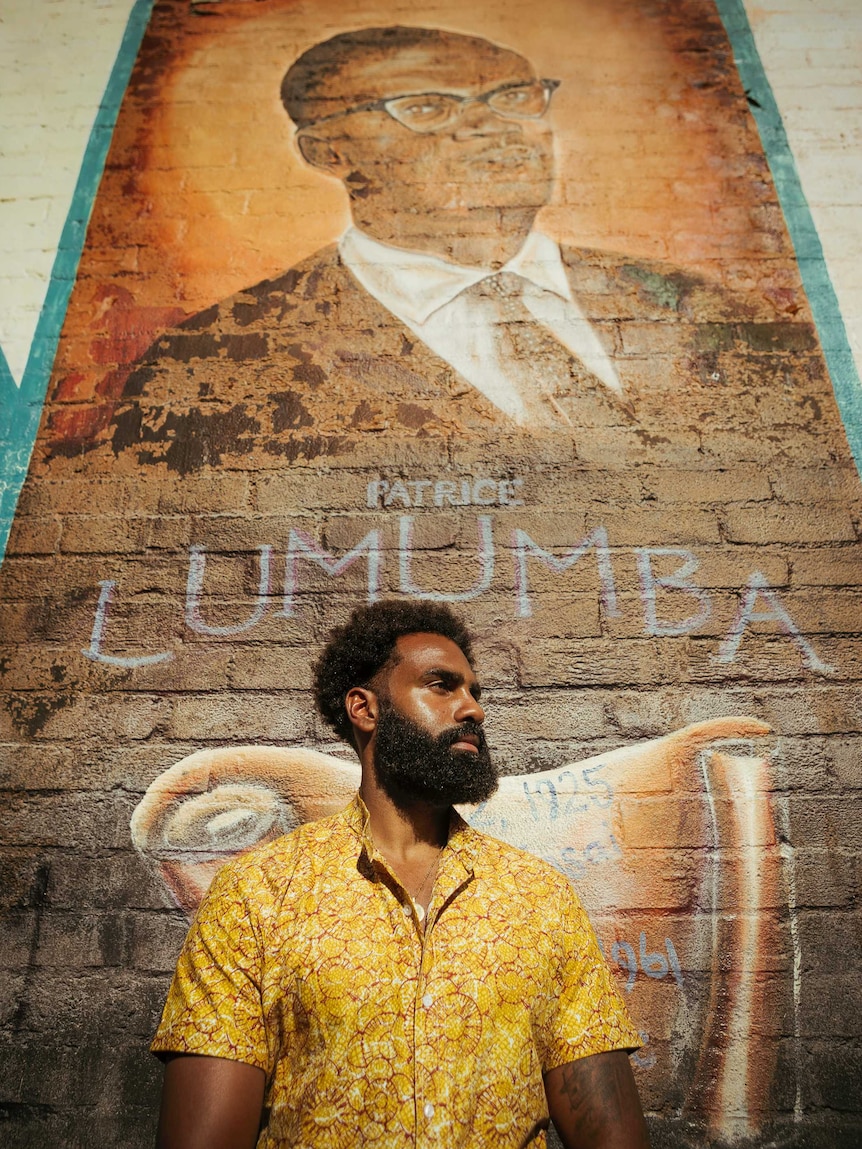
(211, 1104)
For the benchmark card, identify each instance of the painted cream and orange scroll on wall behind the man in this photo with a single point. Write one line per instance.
(672, 844)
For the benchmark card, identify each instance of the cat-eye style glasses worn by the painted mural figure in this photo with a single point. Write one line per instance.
(435, 112)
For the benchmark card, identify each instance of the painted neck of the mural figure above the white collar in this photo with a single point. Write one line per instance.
(479, 238)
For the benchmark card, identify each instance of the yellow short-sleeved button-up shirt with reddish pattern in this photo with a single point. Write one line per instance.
(306, 960)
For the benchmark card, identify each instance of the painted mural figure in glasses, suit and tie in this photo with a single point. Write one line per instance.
(442, 312)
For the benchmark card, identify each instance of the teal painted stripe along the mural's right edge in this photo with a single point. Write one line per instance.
(804, 235)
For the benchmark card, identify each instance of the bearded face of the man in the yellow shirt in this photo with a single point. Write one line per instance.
(429, 743)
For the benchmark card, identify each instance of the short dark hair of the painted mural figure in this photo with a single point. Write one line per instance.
(305, 86)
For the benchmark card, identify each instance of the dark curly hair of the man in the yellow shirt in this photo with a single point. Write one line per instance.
(366, 644)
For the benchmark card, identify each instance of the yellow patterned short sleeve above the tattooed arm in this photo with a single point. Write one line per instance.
(584, 1012)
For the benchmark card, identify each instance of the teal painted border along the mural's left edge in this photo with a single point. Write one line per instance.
(21, 407)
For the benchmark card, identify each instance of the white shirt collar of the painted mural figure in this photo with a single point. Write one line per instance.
(414, 284)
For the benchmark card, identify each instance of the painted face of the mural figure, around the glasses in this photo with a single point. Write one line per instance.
(481, 161)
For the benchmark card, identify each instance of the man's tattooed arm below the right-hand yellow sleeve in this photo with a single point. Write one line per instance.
(595, 1105)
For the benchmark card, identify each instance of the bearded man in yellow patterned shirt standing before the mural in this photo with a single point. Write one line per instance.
(390, 976)
